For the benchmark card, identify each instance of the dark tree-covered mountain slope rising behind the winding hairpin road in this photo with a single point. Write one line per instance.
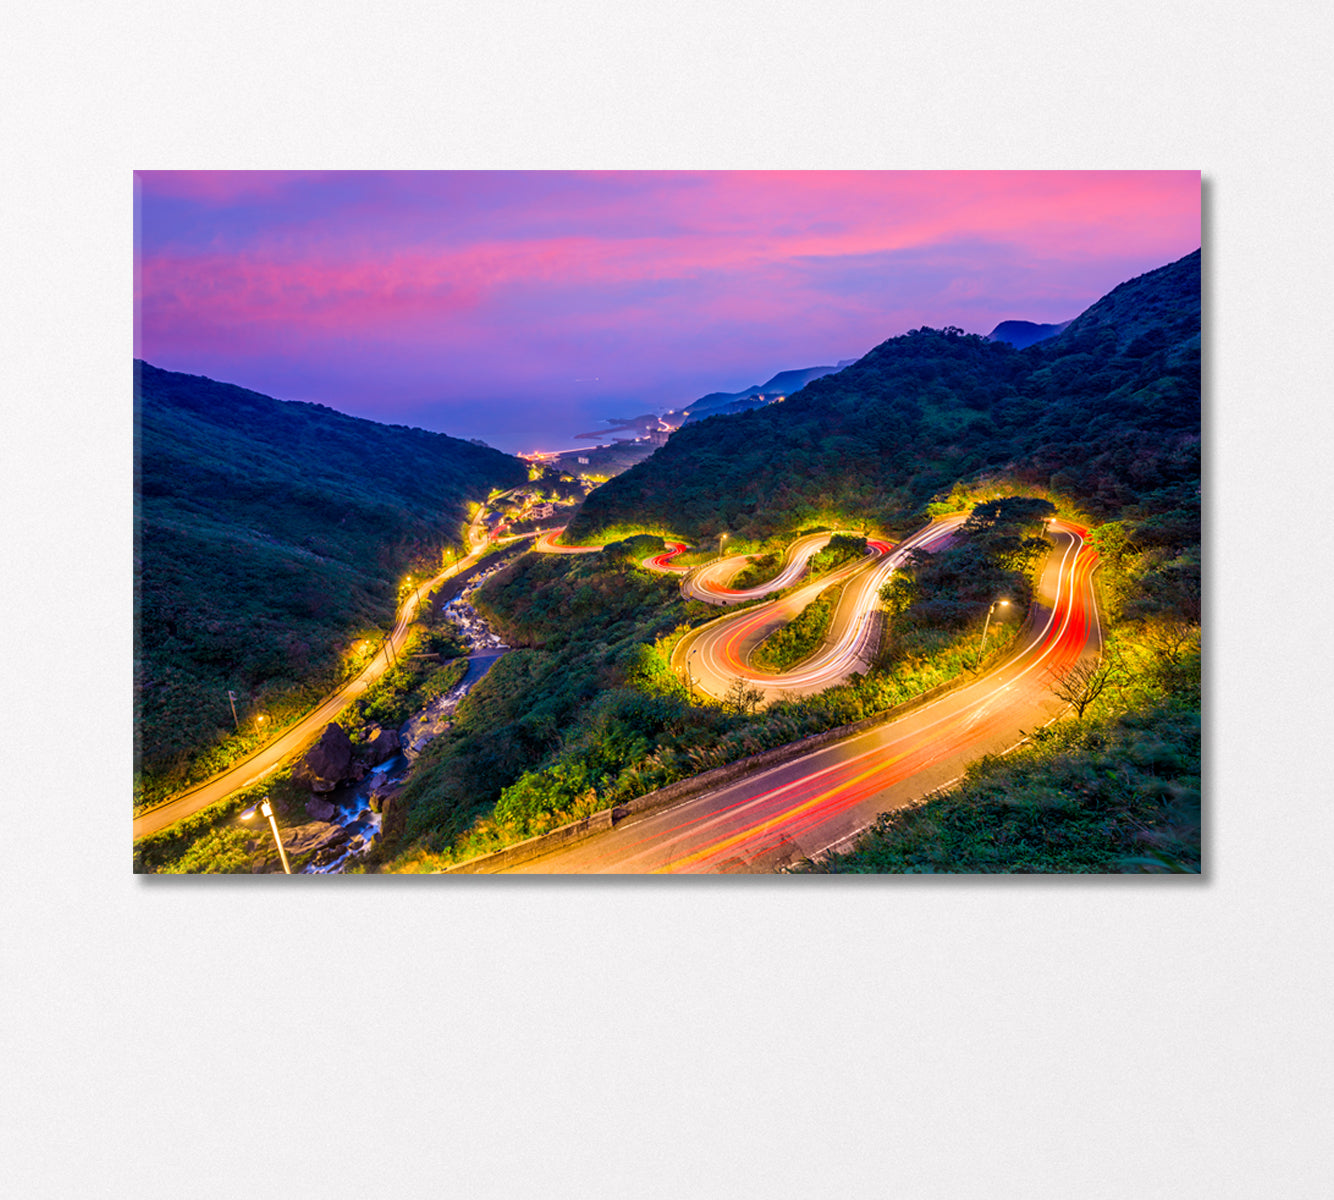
(1108, 413)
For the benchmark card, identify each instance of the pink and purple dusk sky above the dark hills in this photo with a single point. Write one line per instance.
(528, 307)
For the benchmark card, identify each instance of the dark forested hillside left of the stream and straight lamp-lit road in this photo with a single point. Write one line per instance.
(269, 534)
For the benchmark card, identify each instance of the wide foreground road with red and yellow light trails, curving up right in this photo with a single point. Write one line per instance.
(802, 809)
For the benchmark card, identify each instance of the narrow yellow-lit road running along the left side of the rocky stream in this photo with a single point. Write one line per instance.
(271, 755)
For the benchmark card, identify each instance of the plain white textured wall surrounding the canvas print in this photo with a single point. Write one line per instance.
(732, 1038)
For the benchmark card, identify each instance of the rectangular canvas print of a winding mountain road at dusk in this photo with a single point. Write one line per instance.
(622, 522)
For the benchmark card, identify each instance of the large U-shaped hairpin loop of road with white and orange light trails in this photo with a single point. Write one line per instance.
(710, 659)
